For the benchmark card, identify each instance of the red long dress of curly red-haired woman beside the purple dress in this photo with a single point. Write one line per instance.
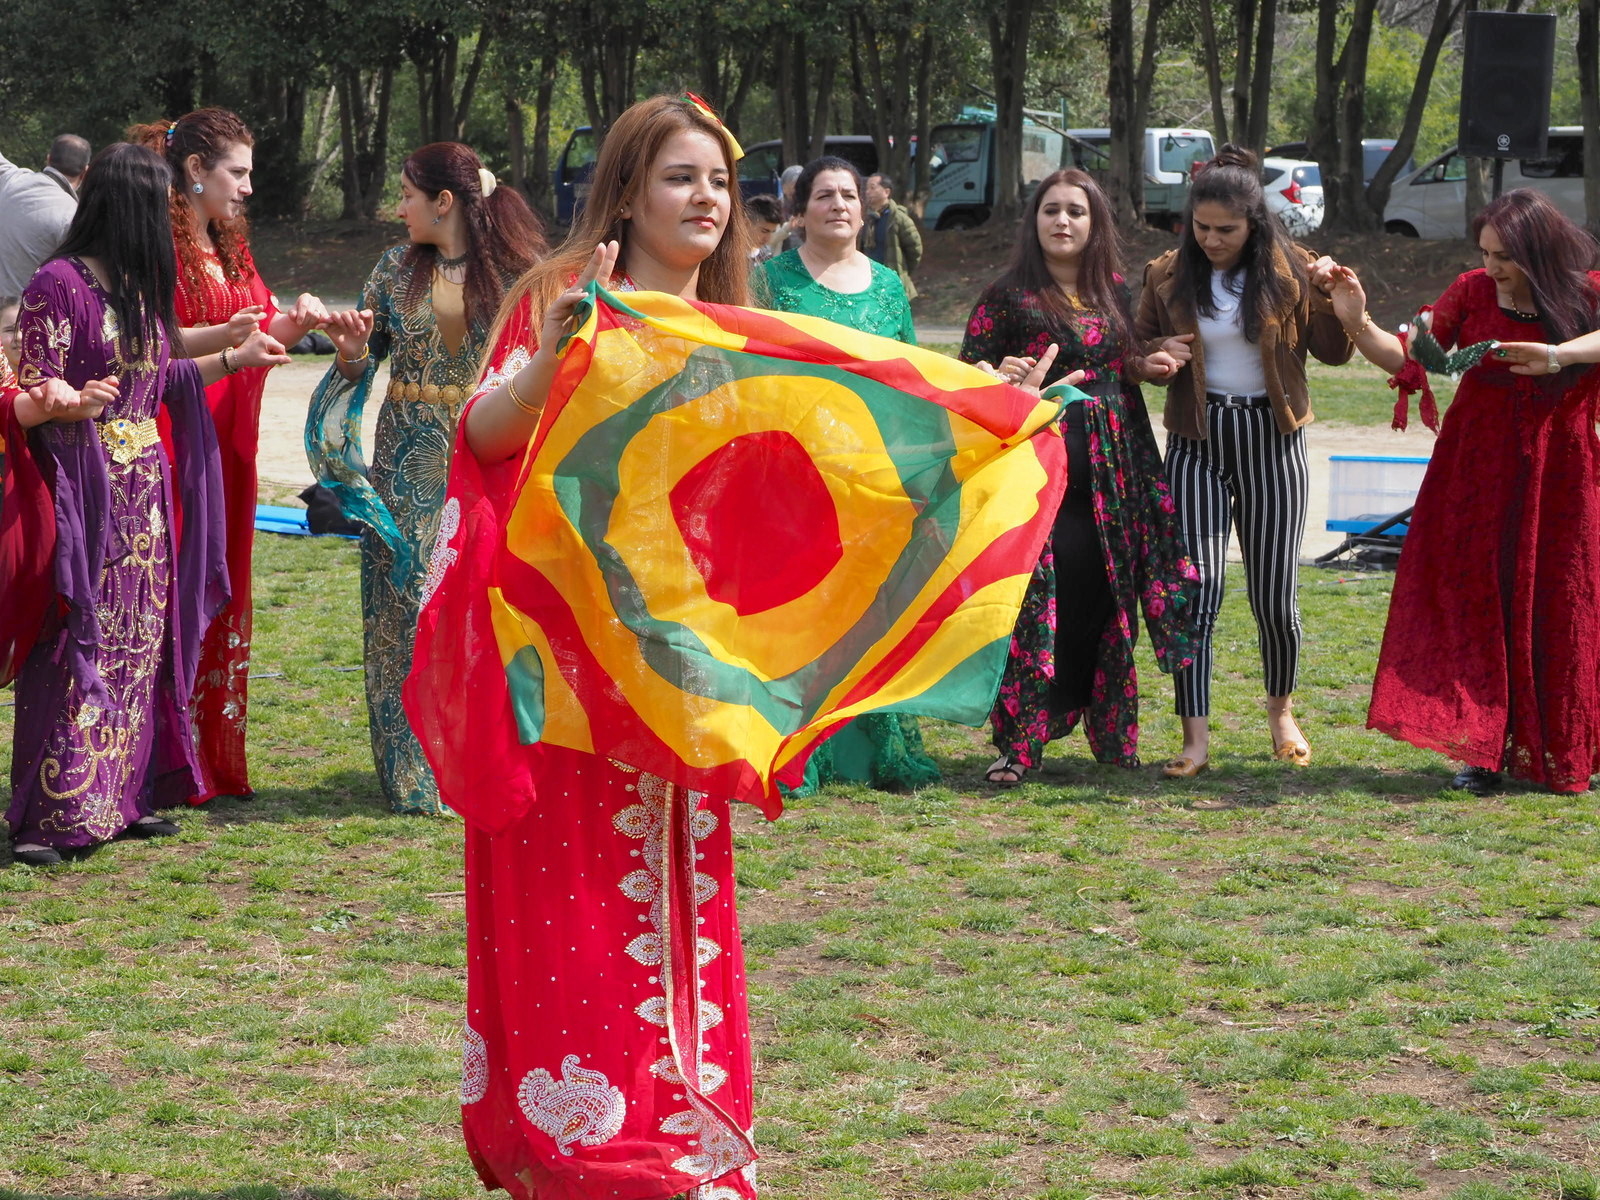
(222, 682)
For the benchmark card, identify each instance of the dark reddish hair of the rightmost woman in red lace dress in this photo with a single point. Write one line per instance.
(1553, 252)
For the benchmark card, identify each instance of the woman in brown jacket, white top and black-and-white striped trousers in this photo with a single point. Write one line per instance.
(1238, 292)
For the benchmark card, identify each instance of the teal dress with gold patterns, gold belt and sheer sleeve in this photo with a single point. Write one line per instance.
(433, 369)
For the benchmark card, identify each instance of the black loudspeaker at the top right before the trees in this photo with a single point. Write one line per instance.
(1506, 86)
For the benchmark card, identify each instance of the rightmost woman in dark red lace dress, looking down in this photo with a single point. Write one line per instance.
(1489, 654)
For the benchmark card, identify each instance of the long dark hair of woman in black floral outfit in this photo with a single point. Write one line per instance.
(1100, 281)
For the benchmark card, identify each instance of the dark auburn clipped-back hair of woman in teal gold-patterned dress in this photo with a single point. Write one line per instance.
(505, 238)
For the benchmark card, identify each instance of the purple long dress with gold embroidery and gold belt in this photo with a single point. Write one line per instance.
(103, 700)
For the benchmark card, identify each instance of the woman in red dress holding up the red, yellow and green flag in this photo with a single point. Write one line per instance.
(607, 1044)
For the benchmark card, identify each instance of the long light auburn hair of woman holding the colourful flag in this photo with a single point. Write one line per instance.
(622, 174)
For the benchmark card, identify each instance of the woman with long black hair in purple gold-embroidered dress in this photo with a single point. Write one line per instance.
(103, 604)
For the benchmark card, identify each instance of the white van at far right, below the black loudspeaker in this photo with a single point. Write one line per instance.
(1433, 202)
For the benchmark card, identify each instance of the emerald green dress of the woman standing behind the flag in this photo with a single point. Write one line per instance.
(879, 748)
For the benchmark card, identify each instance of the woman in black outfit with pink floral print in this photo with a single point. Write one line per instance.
(1116, 543)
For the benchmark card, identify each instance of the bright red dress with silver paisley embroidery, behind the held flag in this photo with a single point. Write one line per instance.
(607, 1049)
